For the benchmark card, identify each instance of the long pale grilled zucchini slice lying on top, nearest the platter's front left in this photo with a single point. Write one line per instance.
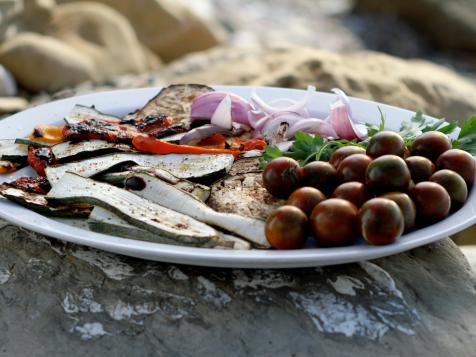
(74, 189)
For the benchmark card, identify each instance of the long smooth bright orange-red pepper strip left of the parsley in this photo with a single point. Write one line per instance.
(156, 146)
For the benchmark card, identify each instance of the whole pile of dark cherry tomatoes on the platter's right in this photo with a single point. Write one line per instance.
(377, 193)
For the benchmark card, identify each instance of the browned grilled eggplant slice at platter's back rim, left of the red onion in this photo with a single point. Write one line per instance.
(176, 102)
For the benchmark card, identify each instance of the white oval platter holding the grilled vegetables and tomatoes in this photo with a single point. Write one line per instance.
(124, 101)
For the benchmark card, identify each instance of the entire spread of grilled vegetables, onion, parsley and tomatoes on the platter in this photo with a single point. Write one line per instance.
(187, 169)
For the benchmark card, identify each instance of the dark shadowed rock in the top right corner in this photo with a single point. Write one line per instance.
(449, 24)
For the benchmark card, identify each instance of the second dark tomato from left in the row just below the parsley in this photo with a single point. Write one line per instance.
(320, 175)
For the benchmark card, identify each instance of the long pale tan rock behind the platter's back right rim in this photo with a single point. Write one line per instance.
(412, 84)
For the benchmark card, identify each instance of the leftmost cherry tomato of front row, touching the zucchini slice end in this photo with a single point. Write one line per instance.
(286, 228)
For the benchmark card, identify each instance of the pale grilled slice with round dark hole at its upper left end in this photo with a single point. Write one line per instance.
(156, 190)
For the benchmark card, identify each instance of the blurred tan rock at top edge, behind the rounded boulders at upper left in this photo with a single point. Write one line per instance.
(169, 28)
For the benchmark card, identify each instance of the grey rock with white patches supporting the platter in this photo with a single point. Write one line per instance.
(66, 299)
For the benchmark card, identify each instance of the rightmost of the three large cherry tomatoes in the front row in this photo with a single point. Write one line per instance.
(381, 221)
